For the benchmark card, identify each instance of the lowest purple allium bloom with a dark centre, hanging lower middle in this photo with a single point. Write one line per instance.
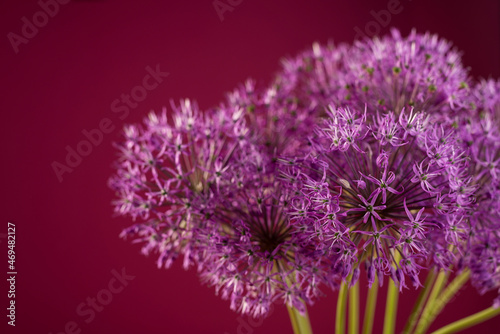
(254, 256)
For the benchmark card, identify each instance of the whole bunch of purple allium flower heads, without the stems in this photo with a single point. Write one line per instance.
(380, 158)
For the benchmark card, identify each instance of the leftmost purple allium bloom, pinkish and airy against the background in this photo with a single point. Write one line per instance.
(168, 174)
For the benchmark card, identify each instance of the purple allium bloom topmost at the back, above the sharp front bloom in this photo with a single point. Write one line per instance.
(390, 73)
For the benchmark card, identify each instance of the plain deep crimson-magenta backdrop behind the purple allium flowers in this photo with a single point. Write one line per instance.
(64, 80)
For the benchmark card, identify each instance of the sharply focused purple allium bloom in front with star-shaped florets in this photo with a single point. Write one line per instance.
(412, 200)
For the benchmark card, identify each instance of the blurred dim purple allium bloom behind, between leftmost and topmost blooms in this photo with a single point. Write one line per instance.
(286, 112)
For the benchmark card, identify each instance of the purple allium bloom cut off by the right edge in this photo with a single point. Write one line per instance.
(480, 133)
